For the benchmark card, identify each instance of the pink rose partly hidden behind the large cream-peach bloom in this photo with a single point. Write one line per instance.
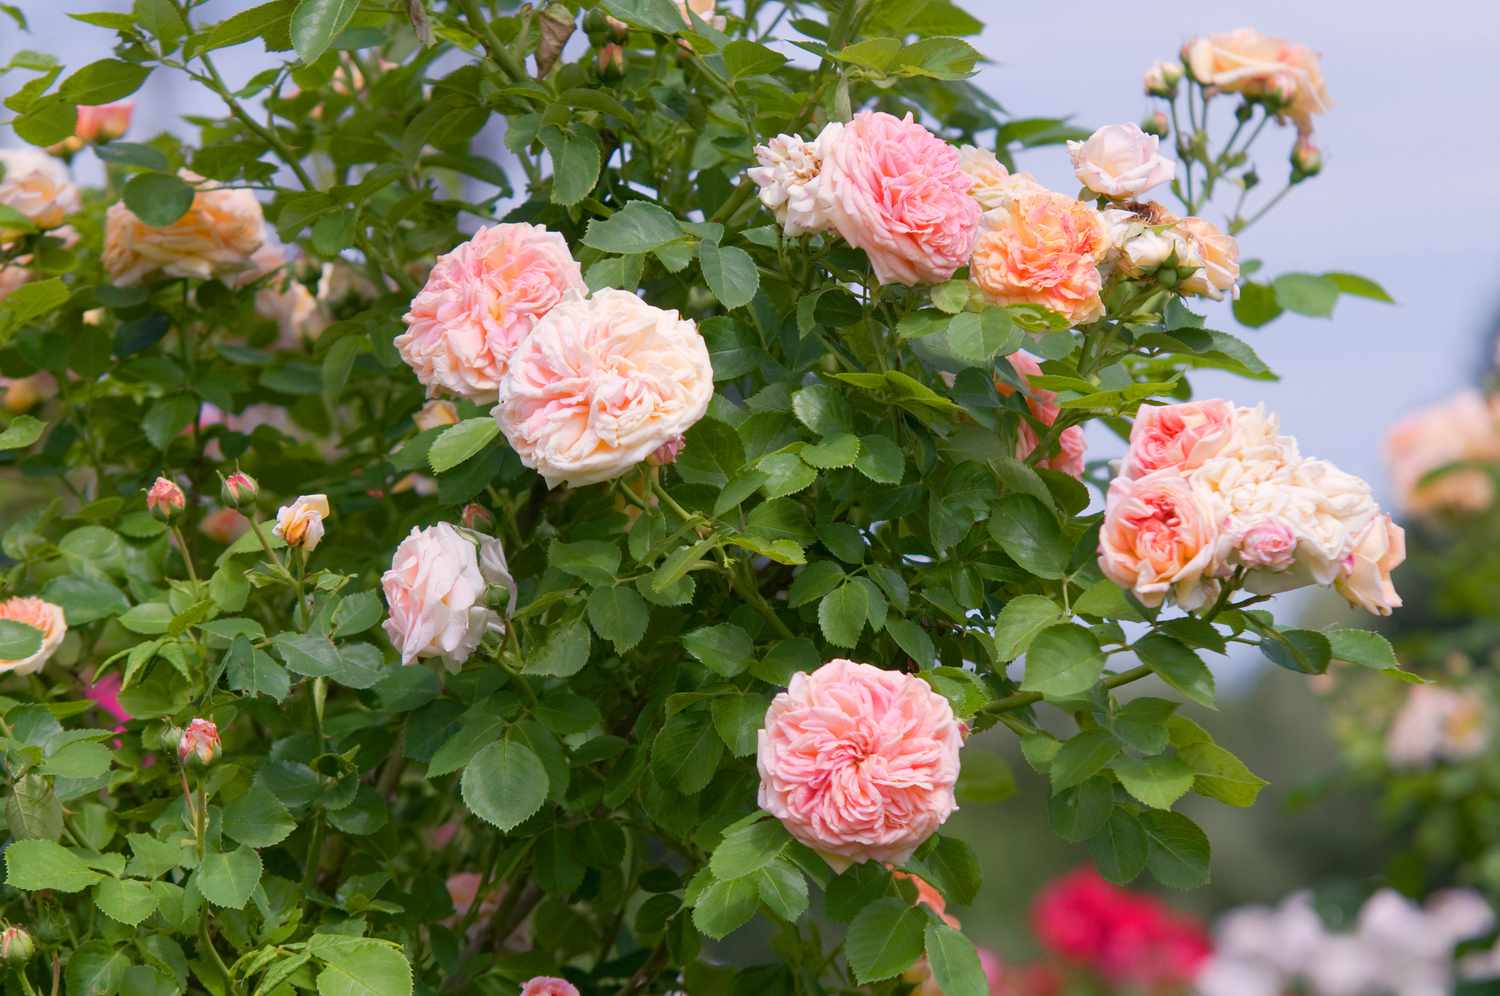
(481, 302)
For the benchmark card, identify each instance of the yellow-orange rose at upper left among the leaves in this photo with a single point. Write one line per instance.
(217, 238)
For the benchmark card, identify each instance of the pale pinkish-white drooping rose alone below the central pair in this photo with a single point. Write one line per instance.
(437, 590)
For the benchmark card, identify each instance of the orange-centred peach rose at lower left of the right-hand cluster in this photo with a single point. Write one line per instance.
(1160, 538)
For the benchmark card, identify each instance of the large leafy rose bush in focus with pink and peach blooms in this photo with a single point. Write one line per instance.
(440, 568)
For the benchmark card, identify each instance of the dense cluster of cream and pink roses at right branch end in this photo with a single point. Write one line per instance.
(1210, 493)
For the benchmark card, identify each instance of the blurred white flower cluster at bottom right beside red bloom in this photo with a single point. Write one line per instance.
(1396, 947)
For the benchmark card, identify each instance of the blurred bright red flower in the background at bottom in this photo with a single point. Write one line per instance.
(1126, 937)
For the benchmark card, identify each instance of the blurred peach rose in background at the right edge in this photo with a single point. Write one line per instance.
(1459, 430)
